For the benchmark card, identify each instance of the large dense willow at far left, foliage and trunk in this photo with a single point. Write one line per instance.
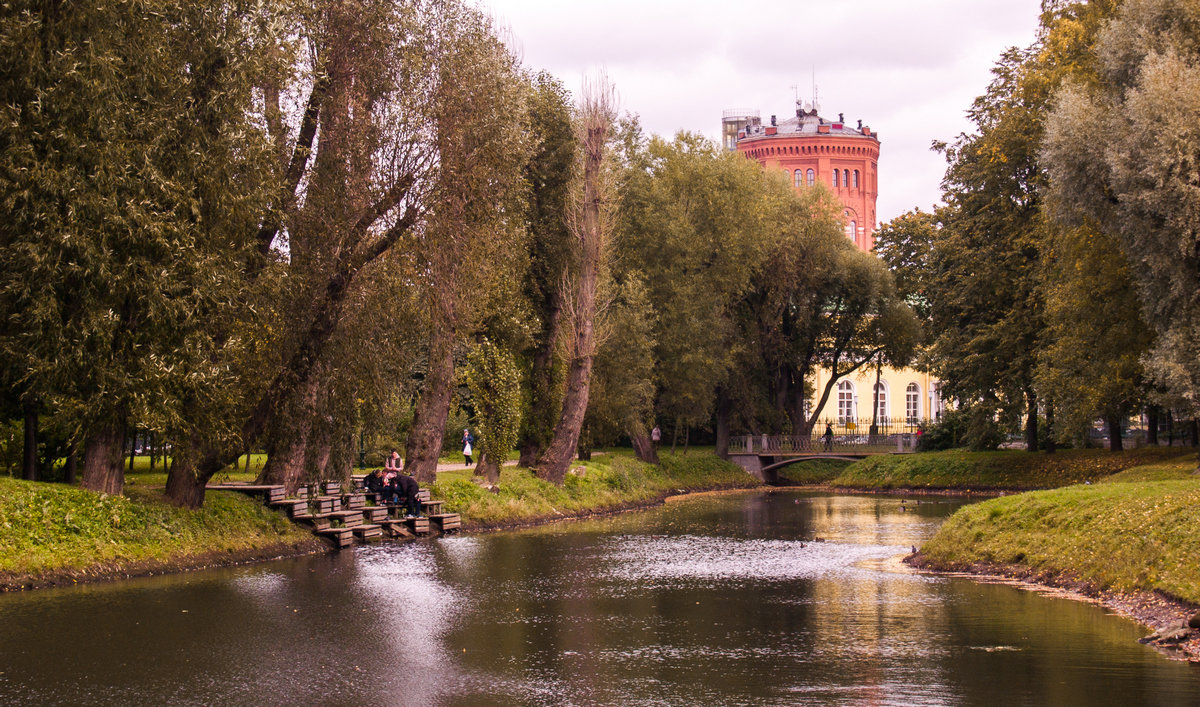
(135, 173)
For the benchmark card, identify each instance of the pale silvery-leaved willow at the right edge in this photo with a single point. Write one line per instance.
(1111, 171)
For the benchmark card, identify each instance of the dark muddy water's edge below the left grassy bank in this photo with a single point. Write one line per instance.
(116, 571)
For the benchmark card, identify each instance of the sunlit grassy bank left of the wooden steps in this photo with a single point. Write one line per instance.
(55, 534)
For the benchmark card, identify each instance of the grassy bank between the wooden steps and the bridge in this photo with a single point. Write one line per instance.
(608, 483)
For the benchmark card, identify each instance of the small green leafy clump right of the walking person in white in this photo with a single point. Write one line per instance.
(495, 384)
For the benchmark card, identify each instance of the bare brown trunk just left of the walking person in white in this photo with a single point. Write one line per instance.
(424, 446)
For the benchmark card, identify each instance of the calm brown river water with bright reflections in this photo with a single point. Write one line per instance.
(745, 598)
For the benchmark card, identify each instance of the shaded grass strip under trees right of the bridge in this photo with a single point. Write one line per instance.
(997, 470)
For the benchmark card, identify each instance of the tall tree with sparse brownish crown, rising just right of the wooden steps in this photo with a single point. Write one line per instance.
(475, 226)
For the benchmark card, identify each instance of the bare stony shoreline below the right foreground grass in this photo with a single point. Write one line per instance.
(1151, 609)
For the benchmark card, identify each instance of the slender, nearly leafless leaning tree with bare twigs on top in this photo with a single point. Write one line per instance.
(591, 223)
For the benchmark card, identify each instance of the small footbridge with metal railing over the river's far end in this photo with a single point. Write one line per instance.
(764, 456)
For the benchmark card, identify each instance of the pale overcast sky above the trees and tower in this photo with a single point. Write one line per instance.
(907, 69)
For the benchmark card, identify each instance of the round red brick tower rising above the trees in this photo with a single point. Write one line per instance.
(811, 148)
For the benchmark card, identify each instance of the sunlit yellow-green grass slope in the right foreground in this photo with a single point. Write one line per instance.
(1124, 536)
